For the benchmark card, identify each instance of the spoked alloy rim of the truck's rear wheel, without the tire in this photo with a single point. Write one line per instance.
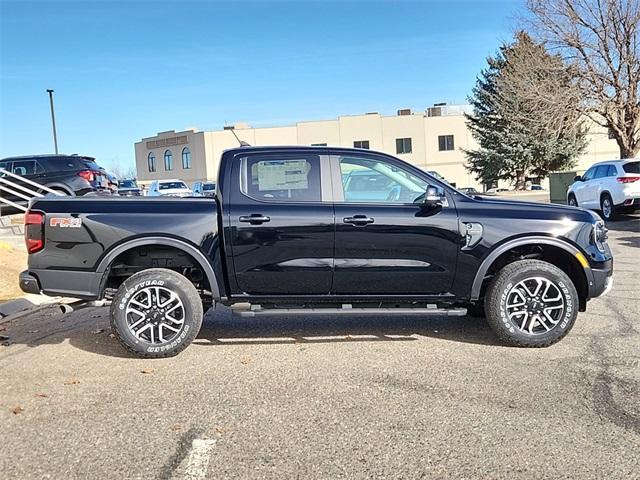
(155, 315)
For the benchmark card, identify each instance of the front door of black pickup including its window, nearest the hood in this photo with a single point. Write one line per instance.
(387, 241)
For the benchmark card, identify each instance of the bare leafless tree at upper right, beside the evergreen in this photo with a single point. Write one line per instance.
(600, 38)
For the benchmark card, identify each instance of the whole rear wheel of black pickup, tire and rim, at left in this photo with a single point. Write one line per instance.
(156, 313)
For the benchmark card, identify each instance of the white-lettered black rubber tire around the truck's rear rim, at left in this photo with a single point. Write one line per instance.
(169, 280)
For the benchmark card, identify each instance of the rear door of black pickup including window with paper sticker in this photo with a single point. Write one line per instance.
(282, 223)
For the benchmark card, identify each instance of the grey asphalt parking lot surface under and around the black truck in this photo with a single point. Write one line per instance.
(323, 397)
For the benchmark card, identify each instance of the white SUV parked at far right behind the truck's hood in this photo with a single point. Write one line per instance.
(611, 187)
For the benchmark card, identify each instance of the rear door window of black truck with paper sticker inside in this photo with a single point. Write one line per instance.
(282, 178)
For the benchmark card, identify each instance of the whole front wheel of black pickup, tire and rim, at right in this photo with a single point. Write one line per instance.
(531, 303)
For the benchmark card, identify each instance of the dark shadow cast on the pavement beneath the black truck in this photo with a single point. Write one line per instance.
(89, 330)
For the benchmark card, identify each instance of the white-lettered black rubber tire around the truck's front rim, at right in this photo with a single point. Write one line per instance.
(496, 303)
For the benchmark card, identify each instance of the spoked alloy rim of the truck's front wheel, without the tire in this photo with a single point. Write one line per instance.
(535, 305)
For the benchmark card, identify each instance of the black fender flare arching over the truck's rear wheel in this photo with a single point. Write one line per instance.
(199, 257)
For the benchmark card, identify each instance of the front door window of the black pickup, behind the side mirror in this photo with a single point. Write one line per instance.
(367, 180)
